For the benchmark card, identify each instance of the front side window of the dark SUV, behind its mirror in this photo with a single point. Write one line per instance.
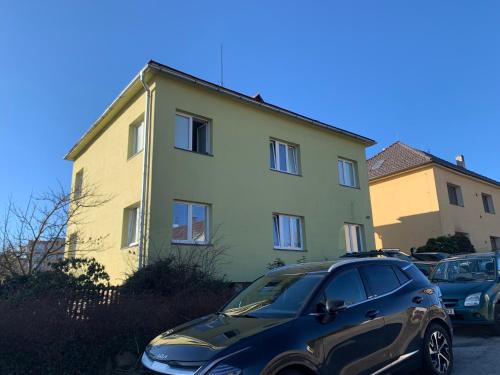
(347, 286)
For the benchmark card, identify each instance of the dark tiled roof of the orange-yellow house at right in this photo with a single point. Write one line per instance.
(399, 157)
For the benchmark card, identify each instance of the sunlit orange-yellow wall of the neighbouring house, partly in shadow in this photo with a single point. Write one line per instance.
(405, 209)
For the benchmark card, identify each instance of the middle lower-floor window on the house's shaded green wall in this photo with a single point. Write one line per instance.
(287, 231)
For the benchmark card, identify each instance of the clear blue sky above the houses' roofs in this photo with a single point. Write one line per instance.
(423, 72)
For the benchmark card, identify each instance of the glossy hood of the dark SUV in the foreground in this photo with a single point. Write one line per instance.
(202, 339)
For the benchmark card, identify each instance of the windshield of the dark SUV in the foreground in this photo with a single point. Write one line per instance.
(281, 295)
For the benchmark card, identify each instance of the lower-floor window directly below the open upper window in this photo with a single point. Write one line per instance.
(190, 223)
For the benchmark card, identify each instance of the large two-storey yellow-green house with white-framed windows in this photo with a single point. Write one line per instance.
(265, 182)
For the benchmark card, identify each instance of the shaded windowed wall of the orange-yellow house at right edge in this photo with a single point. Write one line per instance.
(471, 218)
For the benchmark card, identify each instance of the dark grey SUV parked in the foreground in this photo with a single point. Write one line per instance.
(352, 316)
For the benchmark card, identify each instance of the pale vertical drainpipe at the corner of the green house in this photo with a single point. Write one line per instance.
(145, 171)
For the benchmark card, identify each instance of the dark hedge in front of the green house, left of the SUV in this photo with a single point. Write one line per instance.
(61, 324)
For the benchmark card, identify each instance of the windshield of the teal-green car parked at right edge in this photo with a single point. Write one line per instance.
(465, 270)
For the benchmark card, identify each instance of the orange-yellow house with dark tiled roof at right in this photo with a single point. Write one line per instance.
(416, 196)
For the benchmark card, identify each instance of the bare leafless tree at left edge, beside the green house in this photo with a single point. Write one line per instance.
(34, 235)
